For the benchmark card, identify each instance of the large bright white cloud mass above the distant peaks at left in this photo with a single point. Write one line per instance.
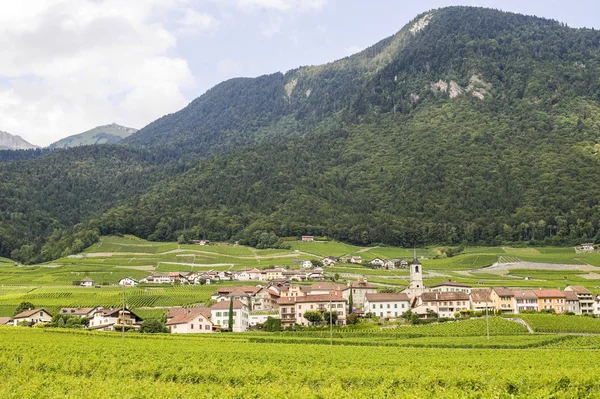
(69, 65)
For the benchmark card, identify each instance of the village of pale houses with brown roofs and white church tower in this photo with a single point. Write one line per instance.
(302, 298)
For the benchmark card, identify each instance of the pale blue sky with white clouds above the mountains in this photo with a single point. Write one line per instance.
(70, 65)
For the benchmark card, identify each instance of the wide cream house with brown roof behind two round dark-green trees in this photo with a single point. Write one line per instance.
(292, 309)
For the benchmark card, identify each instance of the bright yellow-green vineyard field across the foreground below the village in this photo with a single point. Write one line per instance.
(100, 365)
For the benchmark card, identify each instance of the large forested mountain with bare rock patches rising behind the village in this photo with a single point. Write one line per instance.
(469, 125)
